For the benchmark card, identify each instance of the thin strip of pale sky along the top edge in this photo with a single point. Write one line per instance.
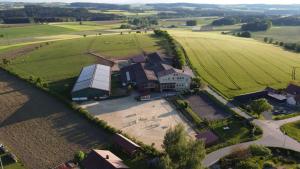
(172, 1)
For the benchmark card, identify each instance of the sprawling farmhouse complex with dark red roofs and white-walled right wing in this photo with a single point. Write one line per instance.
(156, 74)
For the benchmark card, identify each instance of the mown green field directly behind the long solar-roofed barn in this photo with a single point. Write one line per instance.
(58, 63)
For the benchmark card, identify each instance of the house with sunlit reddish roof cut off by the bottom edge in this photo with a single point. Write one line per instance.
(105, 159)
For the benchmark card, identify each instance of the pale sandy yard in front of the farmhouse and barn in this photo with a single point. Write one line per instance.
(147, 121)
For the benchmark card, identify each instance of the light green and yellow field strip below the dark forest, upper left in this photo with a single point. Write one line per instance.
(31, 32)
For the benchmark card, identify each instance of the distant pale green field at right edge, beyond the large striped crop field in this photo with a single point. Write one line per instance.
(283, 33)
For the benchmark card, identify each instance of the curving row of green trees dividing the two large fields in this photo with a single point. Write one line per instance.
(176, 50)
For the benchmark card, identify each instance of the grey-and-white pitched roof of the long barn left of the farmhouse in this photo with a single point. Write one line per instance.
(94, 76)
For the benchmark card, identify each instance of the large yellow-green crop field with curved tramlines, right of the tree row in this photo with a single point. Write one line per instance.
(235, 66)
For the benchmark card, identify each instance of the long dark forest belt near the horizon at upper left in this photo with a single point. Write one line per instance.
(40, 14)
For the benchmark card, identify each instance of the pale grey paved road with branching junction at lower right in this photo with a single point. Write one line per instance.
(272, 135)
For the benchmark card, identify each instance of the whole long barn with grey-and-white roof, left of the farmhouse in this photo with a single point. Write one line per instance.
(93, 83)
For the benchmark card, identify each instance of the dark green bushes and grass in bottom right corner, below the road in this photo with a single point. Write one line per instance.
(260, 157)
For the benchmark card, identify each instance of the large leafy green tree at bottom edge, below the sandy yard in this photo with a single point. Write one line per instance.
(181, 152)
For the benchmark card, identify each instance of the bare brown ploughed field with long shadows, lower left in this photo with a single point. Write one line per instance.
(40, 130)
